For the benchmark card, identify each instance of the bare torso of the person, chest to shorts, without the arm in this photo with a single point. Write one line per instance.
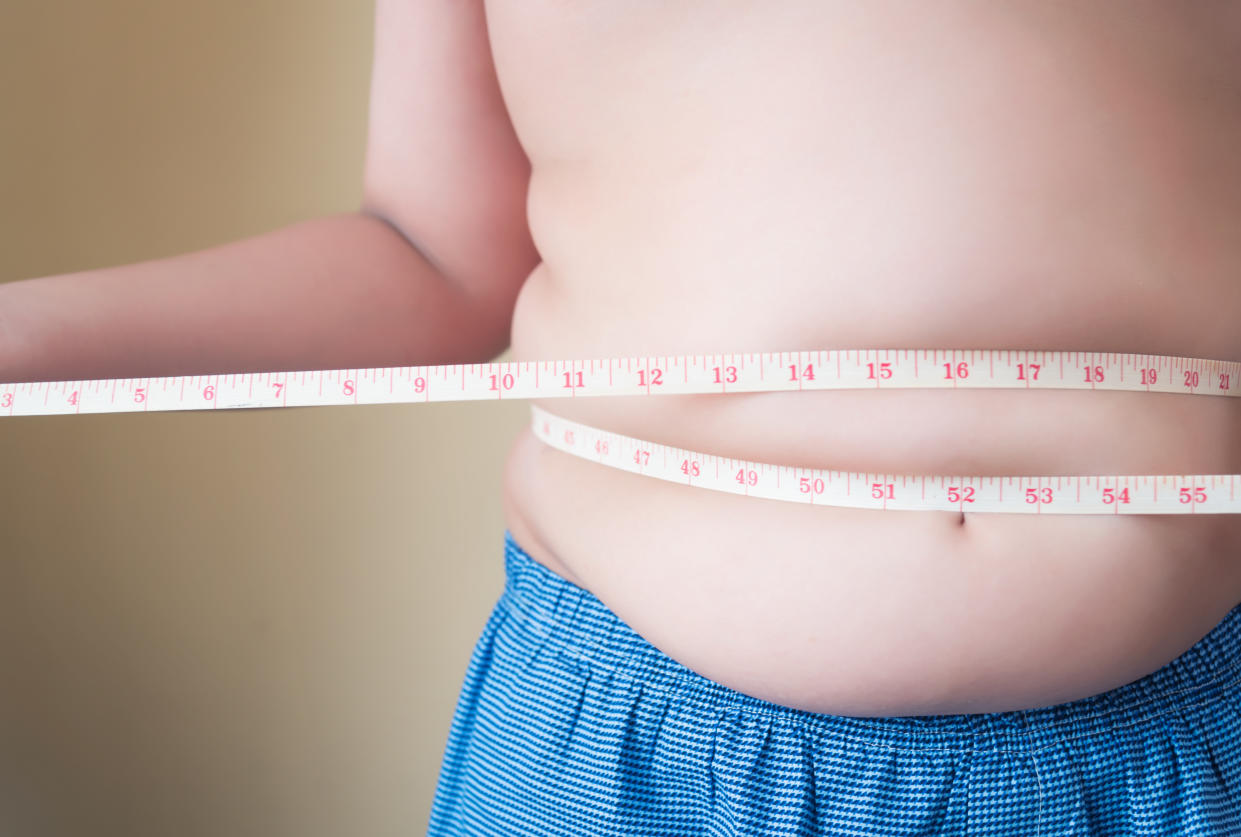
(744, 177)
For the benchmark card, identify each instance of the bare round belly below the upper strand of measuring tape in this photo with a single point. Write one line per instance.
(893, 613)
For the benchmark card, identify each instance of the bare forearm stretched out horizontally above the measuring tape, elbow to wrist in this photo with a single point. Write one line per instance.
(337, 292)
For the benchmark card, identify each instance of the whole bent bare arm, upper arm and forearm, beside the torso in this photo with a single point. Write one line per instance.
(428, 271)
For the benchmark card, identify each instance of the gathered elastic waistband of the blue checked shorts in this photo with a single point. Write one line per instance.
(579, 624)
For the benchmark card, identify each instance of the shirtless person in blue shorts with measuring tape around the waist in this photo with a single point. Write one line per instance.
(596, 181)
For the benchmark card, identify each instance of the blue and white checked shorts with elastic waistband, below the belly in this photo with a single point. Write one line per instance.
(570, 723)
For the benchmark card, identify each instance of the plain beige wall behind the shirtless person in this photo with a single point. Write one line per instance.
(250, 623)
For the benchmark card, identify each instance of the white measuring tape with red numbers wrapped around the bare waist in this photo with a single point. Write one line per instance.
(728, 373)
